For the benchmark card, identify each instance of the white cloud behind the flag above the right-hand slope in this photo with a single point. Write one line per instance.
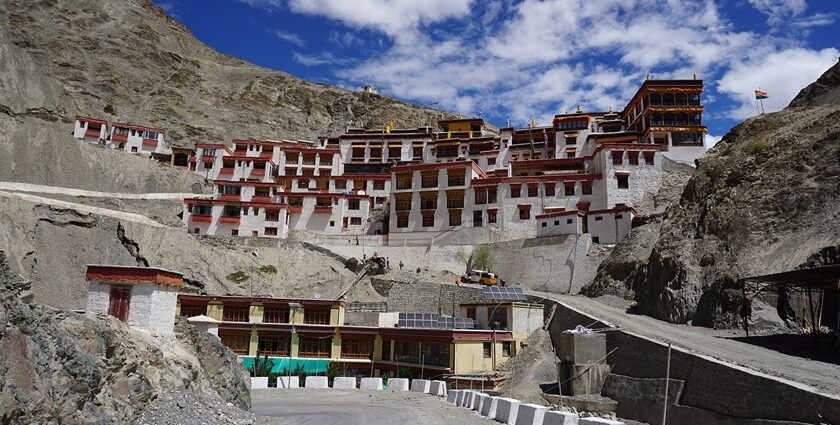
(783, 74)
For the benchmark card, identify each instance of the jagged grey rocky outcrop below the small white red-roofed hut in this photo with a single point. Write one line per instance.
(63, 367)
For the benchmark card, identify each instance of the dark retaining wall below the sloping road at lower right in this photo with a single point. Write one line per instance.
(703, 390)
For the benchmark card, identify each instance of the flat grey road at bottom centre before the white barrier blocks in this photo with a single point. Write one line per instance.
(327, 406)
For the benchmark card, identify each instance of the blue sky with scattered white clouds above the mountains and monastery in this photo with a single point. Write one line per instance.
(517, 60)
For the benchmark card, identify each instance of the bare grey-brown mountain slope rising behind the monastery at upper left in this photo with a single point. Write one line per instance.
(127, 61)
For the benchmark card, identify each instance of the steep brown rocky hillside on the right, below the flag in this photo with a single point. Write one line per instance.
(766, 199)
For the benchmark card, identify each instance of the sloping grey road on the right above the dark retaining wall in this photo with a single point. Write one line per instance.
(817, 376)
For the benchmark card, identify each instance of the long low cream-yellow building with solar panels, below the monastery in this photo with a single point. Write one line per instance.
(312, 333)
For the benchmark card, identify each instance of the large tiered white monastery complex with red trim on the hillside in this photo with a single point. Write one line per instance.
(581, 175)
